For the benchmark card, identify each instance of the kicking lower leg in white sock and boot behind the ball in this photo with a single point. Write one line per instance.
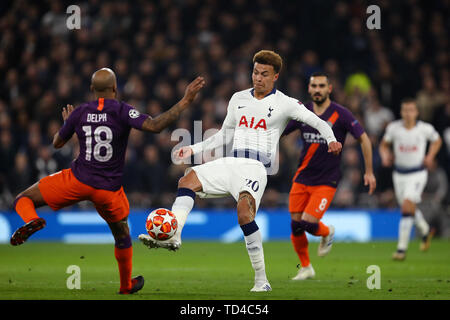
(188, 185)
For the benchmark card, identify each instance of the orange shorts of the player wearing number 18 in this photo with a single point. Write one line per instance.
(62, 189)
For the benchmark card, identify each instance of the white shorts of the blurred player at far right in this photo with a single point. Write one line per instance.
(409, 185)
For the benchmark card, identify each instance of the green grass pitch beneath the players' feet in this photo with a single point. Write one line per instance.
(218, 271)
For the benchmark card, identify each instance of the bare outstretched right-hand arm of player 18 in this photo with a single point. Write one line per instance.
(164, 120)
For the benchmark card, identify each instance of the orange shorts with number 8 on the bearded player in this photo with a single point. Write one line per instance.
(313, 200)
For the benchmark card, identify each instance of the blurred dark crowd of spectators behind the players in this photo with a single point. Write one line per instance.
(157, 47)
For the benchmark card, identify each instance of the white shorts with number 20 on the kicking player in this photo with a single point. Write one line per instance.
(231, 176)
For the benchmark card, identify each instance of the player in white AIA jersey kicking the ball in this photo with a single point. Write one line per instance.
(256, 119)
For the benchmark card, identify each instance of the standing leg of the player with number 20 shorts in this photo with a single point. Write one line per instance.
(246, 210)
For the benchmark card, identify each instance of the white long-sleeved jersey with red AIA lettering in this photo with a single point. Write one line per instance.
(257, 125)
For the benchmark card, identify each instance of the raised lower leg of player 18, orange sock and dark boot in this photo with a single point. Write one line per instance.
(25, 205)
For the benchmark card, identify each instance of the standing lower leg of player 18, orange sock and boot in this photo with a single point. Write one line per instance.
(123, 251)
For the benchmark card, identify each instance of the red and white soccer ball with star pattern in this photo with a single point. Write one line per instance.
(161, 224)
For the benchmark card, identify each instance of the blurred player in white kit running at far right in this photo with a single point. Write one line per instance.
(408, 138)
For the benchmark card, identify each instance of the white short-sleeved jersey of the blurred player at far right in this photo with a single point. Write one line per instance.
(409, 145)
